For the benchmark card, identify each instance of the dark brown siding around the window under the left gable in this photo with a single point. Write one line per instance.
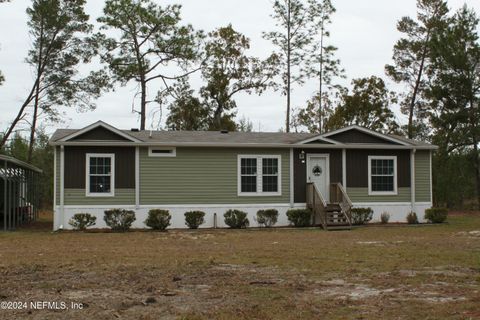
(75, 165)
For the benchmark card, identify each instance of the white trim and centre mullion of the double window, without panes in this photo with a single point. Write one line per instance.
(259, 192)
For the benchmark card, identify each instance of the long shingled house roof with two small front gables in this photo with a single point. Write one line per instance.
(230, 139)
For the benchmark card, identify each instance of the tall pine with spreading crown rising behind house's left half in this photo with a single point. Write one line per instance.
(150, 37)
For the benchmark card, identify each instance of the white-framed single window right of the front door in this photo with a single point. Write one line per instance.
(382, 175)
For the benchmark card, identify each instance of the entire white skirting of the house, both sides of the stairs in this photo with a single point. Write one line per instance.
(398, 212)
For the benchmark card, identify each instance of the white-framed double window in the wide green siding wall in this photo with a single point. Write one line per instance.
(259, 175)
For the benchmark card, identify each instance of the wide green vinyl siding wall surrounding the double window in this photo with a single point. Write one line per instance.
(203, 176)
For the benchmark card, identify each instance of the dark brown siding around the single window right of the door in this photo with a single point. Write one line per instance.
(357, 166)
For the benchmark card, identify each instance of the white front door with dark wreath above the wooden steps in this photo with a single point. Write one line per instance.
(318, 172)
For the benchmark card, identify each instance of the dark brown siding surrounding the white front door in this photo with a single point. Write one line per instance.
(300, 170)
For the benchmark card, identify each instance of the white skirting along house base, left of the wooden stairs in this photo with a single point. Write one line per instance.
(177, 212)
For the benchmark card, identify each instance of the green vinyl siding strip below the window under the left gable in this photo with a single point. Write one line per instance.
(77, 197)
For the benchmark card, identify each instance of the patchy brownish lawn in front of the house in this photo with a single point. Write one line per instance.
(393, 272)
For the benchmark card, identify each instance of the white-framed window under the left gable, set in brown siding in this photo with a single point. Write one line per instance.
(100, 175)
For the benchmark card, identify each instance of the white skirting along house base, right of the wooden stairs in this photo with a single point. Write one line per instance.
(398, 210)
